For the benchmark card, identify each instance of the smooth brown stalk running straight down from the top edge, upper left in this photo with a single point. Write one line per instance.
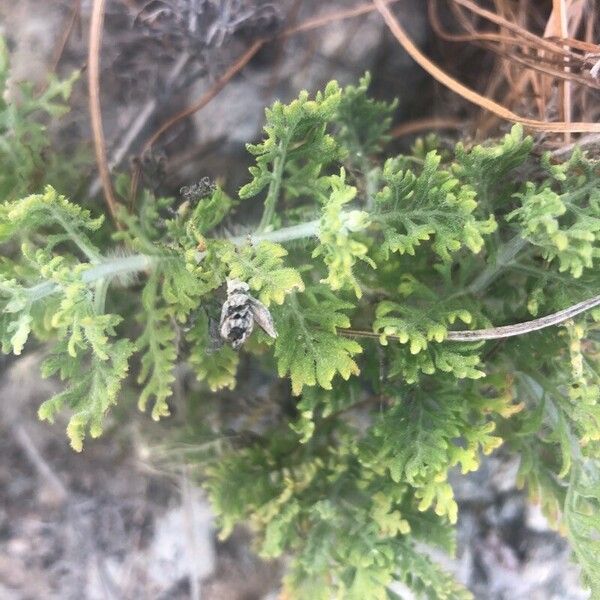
(95, 45)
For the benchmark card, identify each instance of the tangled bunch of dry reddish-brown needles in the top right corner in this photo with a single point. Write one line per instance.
(536, 53)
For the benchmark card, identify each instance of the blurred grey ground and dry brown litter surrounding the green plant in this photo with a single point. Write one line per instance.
(183, 87)
